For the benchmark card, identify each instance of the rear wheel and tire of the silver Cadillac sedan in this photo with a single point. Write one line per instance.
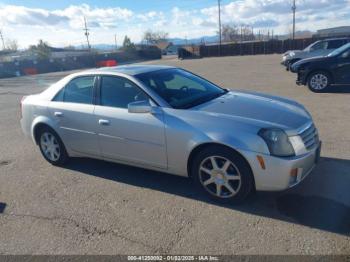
(51, 147)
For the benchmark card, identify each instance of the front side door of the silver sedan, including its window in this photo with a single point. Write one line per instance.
(130, 137)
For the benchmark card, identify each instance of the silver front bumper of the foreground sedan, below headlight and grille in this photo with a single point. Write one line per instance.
(278, 175)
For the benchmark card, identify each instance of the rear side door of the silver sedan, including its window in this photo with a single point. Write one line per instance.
(73, 111)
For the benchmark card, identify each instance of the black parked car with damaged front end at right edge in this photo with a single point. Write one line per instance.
(320, 73)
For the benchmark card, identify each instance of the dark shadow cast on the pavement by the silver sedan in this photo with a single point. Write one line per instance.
(305, 204)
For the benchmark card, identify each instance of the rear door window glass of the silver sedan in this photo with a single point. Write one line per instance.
(79, 90)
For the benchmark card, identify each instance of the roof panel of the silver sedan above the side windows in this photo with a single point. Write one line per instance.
(128, 69)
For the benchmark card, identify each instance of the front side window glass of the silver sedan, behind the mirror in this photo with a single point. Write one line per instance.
(119, 92)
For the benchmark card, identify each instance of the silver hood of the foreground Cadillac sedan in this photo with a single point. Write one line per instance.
(258, 109)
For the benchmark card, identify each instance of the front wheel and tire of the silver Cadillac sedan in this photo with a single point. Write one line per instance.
(219, 182)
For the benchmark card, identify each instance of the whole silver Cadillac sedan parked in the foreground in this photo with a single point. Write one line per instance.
(168, 119)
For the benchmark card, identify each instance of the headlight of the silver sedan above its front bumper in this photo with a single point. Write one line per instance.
(277, 141)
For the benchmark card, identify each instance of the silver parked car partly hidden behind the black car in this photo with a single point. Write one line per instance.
(319, 48)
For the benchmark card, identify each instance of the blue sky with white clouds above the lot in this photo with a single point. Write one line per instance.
(60, 23)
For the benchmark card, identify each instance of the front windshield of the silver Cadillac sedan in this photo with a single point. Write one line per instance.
(180, 88)
